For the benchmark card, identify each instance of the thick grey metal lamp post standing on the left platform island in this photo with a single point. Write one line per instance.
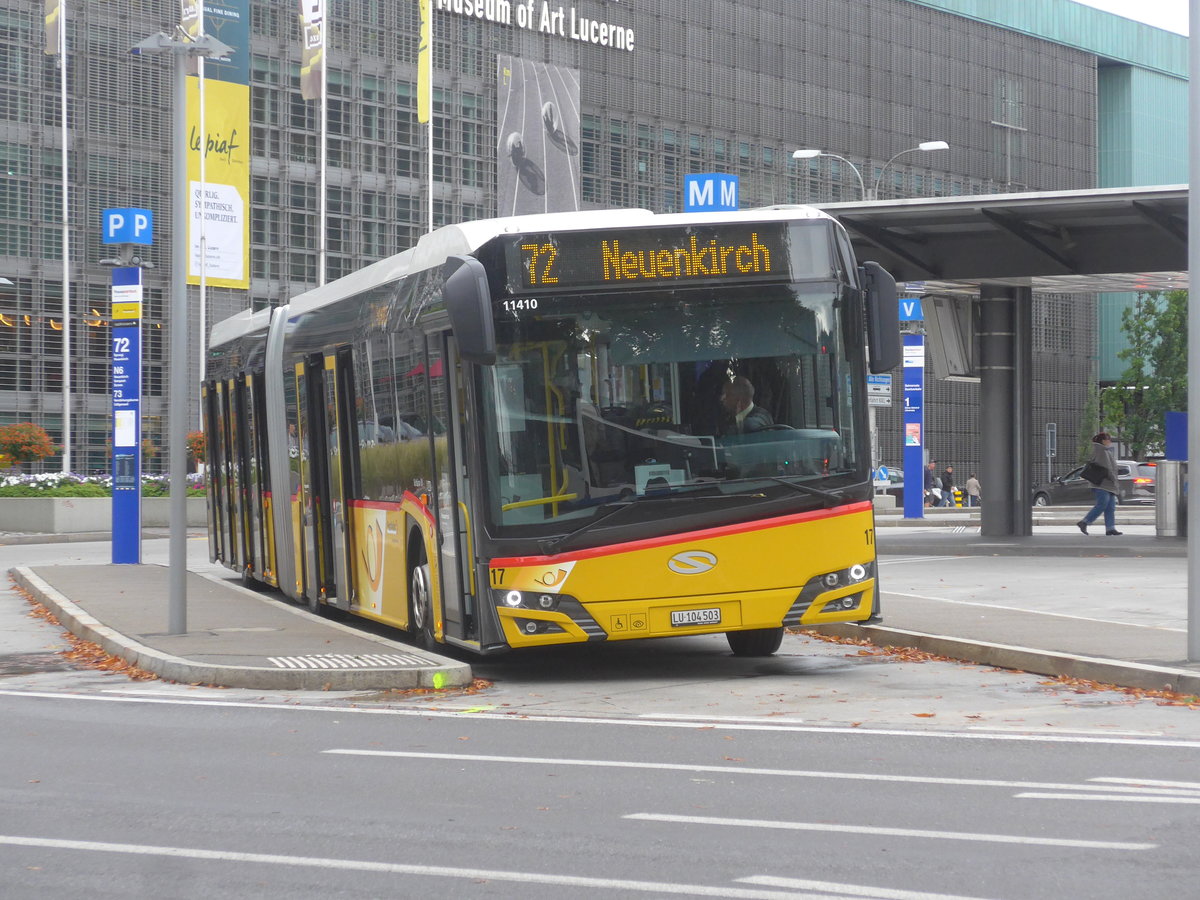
(177, 423)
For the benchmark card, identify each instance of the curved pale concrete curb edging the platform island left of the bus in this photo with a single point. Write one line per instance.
(442, 673)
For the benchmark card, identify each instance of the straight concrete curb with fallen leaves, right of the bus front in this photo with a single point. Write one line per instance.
(1049, 663)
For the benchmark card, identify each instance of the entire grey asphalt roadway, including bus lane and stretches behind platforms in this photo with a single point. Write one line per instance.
(646, 769)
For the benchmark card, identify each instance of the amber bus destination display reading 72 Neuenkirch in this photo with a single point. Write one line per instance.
(633, 259)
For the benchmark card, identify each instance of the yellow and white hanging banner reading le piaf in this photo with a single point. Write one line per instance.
(223, 205)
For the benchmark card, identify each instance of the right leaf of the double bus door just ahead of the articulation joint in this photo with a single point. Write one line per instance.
(341, 467)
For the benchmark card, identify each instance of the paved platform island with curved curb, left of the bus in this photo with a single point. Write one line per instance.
(236, 638)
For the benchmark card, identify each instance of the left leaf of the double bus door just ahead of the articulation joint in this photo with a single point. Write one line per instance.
(313, 493)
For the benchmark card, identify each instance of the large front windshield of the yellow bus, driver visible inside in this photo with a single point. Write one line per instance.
(616, 398)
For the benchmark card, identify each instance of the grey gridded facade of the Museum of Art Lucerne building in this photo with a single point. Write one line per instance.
(711, 87)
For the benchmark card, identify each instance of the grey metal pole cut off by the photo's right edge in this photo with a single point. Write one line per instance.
(1193, 331)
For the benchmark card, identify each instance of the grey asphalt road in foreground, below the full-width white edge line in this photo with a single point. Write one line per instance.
(110, 796)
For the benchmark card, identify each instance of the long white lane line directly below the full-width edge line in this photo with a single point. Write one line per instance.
(739, 771)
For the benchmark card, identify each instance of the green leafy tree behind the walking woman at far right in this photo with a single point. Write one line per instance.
(1156, 377)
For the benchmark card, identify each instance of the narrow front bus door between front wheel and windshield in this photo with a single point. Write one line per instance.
(455, 551)
